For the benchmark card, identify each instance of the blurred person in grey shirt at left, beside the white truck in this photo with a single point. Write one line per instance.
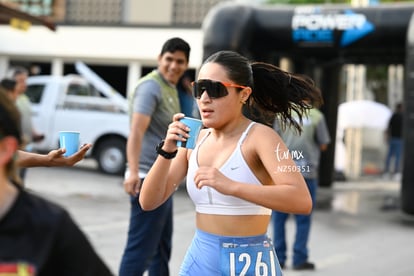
(30, 135)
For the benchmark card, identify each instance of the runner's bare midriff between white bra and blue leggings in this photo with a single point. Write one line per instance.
(225, 225)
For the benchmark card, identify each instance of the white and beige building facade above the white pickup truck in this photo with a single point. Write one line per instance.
(118, 39)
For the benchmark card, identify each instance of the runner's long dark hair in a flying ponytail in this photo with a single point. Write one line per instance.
(275, 92)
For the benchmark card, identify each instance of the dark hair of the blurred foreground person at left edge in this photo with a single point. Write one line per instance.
(10, 126)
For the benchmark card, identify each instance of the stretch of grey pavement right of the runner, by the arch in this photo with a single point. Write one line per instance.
(358, 229)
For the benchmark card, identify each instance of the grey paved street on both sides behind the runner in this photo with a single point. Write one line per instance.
(357, 228)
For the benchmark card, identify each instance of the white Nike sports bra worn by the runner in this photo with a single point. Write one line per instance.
(209, 201)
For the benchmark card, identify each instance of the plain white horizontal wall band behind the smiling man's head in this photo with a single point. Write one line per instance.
(115, 45)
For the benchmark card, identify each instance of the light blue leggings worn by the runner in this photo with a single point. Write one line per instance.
(203, 257)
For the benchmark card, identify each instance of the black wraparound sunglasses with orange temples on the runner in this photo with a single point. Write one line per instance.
(214, 89)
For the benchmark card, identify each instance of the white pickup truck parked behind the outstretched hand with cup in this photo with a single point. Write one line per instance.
(72, 103)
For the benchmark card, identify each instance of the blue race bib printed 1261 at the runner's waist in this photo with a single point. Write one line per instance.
(248, 257)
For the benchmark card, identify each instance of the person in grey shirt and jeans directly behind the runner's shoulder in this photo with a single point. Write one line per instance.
(305, 149)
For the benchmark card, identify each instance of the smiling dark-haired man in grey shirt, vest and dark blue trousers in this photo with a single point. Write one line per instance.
(152, 105)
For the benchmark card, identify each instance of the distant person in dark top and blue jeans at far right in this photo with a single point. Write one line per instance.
(394, 141)
